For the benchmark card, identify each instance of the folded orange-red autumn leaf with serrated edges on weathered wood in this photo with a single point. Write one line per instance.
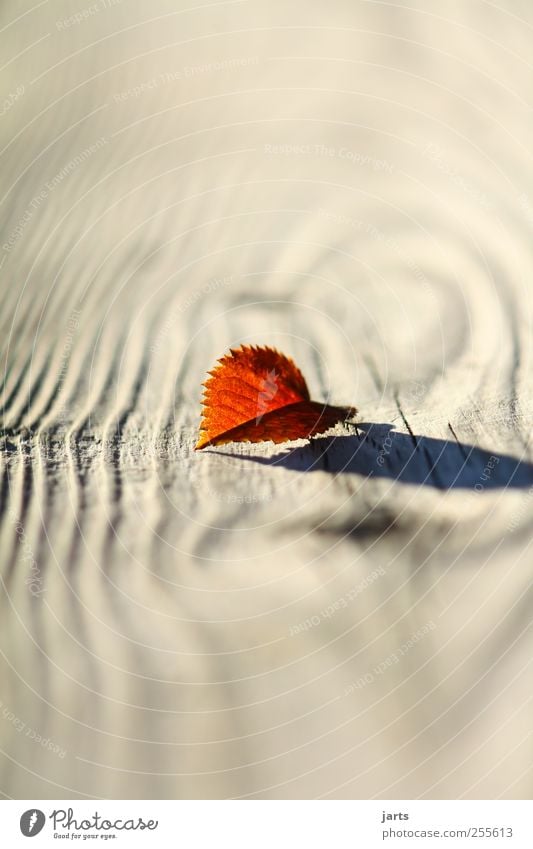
(257, 394)
